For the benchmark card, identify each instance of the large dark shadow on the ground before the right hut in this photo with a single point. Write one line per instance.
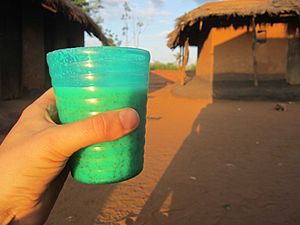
(239, 165)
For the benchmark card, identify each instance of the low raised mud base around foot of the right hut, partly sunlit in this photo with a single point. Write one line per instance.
(239, 87)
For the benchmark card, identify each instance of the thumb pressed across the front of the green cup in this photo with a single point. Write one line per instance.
(103, 127)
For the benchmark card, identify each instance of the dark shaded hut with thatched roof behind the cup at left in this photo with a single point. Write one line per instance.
(31, 28)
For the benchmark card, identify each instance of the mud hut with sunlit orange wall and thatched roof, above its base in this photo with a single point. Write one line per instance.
(257, 38)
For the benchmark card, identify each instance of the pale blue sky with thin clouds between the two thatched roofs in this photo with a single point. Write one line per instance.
(158, 17)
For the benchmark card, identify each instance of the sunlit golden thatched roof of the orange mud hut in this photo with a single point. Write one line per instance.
(233, 9)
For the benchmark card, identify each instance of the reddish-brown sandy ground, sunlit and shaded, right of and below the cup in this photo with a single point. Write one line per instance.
(206, 162)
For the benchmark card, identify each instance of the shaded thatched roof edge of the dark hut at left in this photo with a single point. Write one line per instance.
(74, 13)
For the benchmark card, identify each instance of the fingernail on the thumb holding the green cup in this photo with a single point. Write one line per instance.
(129, 118)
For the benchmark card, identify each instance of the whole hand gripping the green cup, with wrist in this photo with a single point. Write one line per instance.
(33, 156)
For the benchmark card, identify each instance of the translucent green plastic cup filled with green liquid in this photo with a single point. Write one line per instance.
(91, 80)
